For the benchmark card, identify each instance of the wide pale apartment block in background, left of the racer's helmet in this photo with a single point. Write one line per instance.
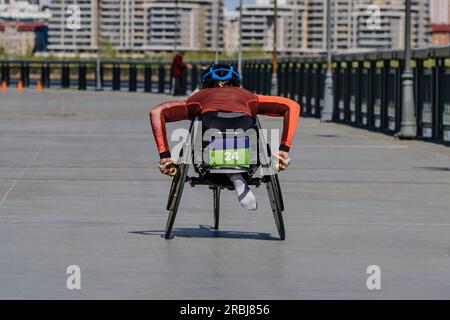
(136, 26)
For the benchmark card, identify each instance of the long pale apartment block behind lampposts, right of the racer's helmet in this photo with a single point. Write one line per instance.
(302, 25)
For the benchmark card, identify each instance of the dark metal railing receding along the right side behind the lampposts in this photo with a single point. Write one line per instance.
(367, 88)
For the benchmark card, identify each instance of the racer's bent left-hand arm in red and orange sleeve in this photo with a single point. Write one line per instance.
(166, 112)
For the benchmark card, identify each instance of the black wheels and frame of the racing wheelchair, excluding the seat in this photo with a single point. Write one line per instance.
(269, 177)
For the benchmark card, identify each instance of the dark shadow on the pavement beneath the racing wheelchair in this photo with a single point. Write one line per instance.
(208, 232)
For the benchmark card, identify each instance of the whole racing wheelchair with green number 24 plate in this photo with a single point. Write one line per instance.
(257, 168)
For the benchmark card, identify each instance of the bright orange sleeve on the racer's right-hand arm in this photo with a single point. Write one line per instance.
(281, 107)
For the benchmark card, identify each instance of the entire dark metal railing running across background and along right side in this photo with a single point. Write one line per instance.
(367, 90)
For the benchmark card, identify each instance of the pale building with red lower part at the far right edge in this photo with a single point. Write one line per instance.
(440, 22)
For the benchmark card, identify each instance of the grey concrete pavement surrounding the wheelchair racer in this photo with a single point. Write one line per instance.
(79, 186)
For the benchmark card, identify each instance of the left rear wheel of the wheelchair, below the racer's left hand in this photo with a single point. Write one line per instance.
(176, 191)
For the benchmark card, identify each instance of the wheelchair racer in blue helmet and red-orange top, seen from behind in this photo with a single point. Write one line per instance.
(222, 96)
